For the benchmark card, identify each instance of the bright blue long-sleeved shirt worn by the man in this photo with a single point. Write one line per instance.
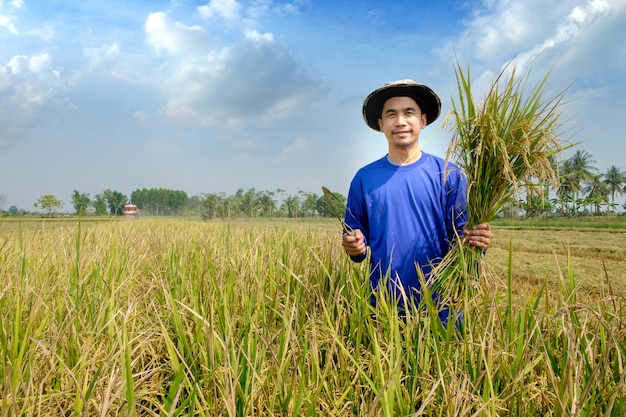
(409, 215)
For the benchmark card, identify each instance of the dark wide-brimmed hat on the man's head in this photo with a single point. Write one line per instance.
(425, 97)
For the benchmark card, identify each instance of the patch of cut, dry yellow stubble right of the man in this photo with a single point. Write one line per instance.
(597, 257)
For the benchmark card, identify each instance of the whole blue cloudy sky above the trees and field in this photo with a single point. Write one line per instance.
(214, 96)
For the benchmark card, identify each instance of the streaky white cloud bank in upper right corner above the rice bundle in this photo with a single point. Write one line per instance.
(567, 37)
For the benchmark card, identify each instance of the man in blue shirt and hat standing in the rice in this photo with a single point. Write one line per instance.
(409, 206)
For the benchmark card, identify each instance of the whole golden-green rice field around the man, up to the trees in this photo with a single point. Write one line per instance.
(183, 317)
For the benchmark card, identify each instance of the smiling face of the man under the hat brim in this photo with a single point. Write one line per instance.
(401, 122)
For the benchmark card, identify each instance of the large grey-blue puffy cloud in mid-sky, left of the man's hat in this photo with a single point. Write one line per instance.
(259, 82)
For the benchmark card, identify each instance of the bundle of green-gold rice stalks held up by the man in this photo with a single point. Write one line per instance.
(505, 143)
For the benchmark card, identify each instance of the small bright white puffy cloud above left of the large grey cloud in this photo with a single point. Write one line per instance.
(173, 37)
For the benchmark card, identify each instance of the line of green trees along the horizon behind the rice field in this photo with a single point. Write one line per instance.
(582, 190)
